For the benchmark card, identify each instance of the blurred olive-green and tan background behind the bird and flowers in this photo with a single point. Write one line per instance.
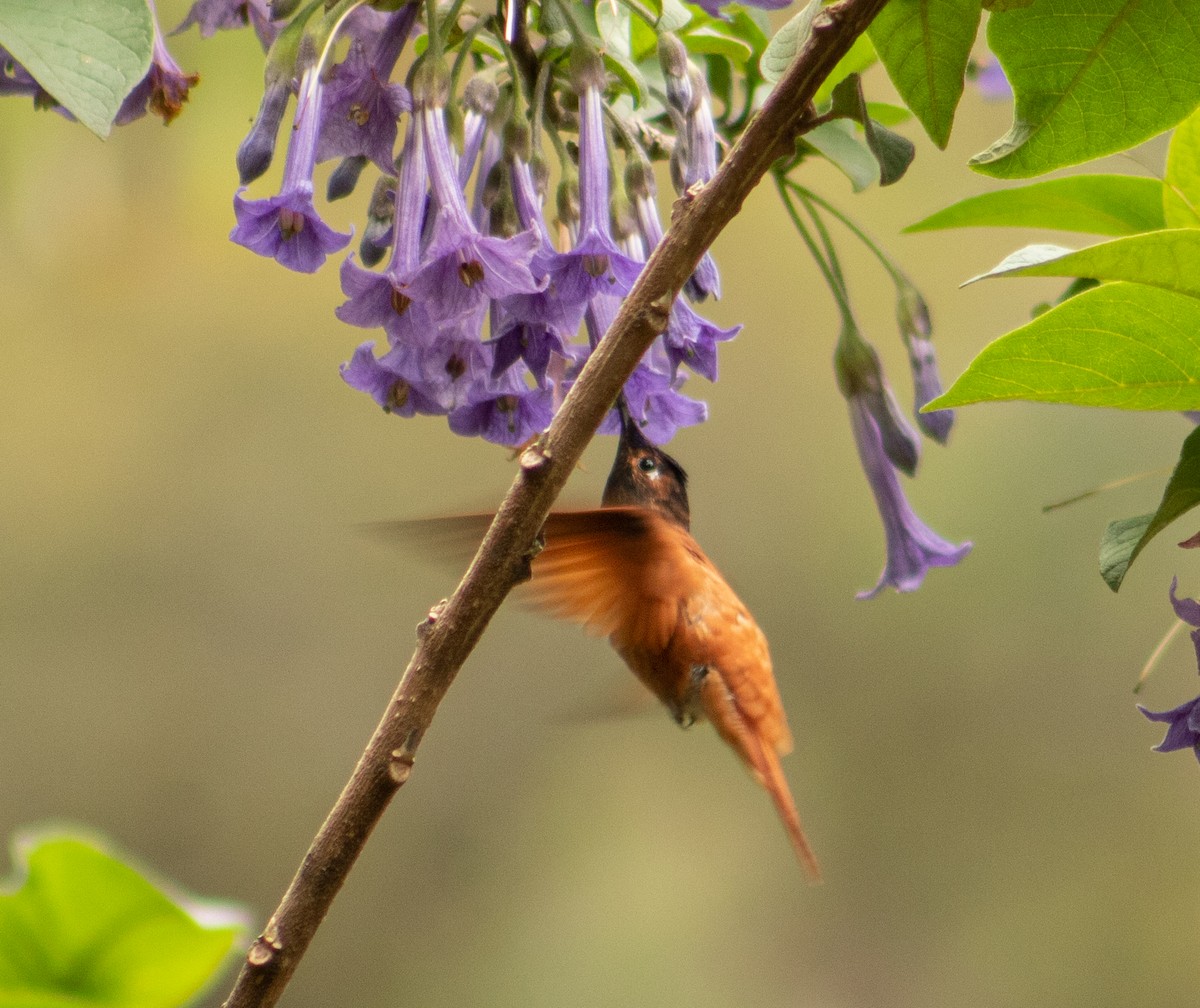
(196, 643)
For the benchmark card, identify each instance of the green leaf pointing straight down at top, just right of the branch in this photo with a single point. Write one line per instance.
(925, 46)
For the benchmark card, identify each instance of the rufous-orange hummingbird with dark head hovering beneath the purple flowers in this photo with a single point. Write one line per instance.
(632, 572)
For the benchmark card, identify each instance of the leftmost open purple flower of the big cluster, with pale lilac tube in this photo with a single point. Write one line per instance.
(287, 227)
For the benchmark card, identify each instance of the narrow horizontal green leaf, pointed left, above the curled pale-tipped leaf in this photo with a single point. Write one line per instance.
(1096, 205)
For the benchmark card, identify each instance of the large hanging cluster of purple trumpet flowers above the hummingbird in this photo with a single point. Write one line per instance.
(487, 319)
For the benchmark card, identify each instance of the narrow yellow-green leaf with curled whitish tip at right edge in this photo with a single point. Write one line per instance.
(1167, 259)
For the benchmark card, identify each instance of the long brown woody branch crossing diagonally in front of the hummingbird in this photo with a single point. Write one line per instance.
(454, 628)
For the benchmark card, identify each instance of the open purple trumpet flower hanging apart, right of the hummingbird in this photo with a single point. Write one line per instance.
(913, 547)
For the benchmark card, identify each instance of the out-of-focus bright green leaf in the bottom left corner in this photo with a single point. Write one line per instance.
(83, 929)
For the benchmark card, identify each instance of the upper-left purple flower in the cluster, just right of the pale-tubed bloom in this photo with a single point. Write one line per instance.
(359, 106)
